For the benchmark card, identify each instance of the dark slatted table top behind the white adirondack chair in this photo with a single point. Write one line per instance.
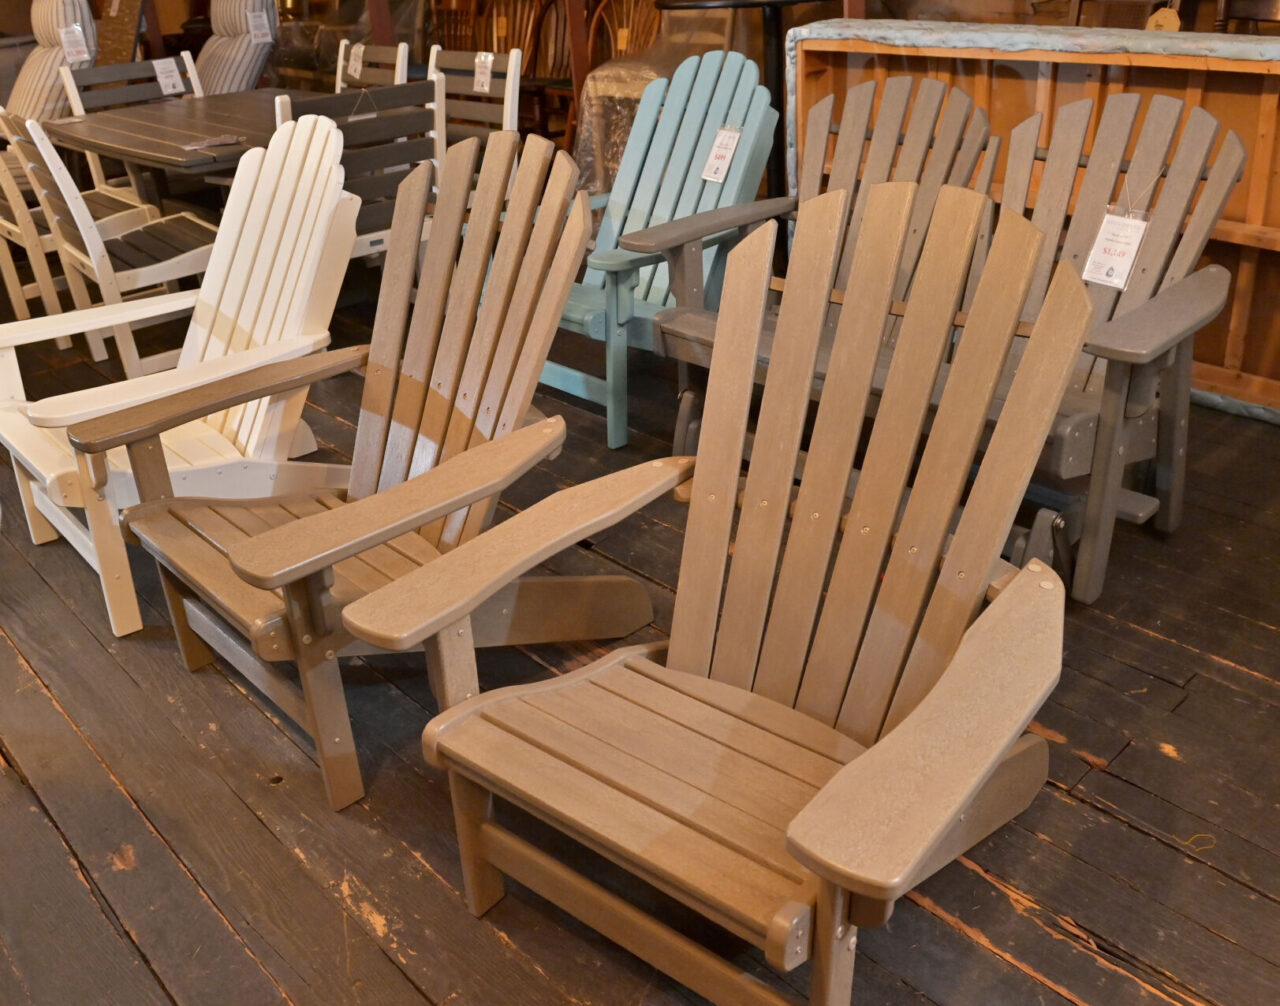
(158, 135)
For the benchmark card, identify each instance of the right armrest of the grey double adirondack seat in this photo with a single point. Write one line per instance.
(1156, 327)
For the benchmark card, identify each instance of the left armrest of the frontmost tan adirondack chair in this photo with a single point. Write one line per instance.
(422, 603)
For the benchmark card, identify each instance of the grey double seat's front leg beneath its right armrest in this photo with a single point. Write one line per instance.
(1105, 482)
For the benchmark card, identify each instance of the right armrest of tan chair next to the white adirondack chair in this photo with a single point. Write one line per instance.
(294, 552)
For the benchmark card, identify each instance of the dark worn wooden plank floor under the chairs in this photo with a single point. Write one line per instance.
(167, 839)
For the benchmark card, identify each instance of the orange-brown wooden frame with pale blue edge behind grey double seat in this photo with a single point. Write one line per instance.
(1014, 71)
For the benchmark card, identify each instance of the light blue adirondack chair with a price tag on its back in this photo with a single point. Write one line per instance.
(660, 180)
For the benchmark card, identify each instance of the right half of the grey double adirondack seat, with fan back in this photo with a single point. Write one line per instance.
(1130, 400)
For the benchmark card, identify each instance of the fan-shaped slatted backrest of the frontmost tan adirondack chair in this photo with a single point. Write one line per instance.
(851, 614)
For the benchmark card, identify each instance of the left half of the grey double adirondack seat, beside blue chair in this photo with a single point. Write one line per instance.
(912, 140)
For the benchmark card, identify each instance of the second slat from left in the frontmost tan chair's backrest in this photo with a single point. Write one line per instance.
(783, 414)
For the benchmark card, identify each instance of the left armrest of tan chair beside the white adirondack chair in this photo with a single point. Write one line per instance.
(139, 423)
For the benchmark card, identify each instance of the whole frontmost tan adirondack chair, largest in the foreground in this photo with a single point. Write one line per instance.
(834, 720)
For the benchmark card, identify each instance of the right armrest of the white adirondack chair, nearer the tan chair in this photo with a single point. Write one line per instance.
(88, 404)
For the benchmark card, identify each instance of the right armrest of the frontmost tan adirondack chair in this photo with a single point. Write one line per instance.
(872, 829)
